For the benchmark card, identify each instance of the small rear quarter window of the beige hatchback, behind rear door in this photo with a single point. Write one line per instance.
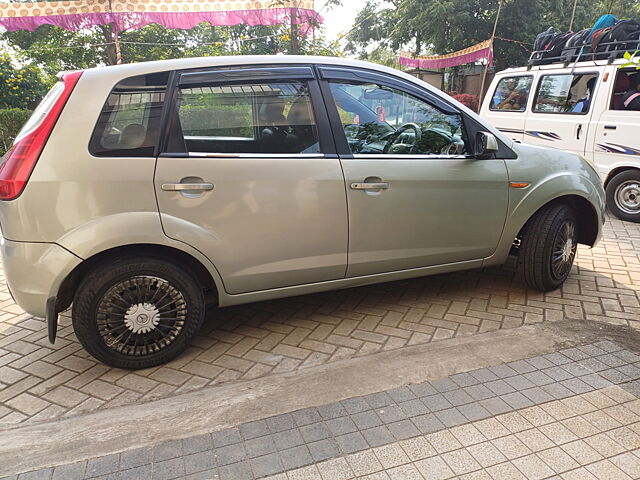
(130, 120)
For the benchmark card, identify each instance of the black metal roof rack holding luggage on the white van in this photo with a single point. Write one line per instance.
(609, 51)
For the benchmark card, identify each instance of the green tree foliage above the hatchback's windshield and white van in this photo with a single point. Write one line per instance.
(444, 26)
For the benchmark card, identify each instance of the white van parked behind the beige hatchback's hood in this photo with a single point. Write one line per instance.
(576, 107)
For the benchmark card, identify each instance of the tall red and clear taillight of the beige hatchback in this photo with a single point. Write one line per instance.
(19, 161)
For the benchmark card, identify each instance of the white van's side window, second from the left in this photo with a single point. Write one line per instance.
(565, 93)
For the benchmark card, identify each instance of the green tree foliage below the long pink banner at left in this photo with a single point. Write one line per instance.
(55, 49)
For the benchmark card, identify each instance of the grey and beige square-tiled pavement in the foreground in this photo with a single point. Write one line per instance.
(571, 414)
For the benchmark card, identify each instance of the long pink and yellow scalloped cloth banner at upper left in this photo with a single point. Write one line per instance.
(134, 14)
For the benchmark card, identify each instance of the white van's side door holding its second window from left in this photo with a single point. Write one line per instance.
(561, 111)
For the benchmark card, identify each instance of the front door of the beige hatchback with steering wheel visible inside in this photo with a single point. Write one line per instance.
(416, 197)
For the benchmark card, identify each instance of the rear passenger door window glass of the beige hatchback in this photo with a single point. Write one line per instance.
(250, 118)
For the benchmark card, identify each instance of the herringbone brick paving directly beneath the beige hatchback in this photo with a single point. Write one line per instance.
(39, 381)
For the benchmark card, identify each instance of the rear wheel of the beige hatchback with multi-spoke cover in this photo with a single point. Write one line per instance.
(137, 313)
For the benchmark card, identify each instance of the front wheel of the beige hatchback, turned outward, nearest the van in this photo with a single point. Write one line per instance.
(548, 247)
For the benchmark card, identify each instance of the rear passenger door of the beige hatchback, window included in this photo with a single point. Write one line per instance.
(246, 180)
